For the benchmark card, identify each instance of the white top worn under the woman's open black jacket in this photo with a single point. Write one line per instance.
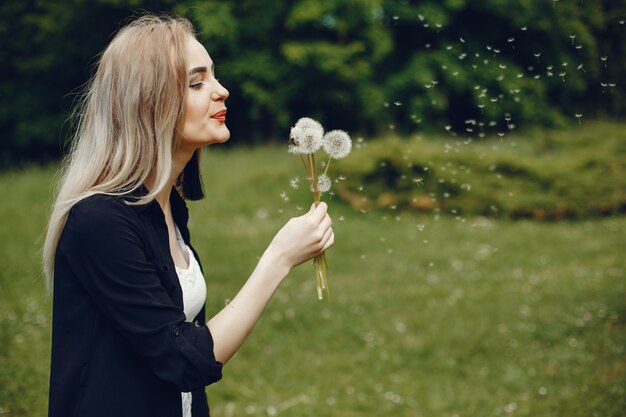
(194, 296)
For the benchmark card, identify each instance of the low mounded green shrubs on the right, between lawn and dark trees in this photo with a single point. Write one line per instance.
(576, 173)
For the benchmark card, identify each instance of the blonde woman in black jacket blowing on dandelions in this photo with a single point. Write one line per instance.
(129, 332)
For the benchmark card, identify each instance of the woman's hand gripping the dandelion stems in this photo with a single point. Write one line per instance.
(302, 238)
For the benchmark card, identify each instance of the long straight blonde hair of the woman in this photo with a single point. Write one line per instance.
(128, 121)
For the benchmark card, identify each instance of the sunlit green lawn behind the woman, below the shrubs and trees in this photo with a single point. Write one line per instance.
(430, 315)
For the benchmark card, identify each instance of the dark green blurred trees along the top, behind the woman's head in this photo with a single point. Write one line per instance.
(363, 65)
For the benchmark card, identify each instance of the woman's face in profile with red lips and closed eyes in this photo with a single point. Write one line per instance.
(205, 112)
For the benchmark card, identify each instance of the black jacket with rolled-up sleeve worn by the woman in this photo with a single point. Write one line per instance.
(120, 343)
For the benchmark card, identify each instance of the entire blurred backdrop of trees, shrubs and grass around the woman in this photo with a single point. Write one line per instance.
(479, 264)
